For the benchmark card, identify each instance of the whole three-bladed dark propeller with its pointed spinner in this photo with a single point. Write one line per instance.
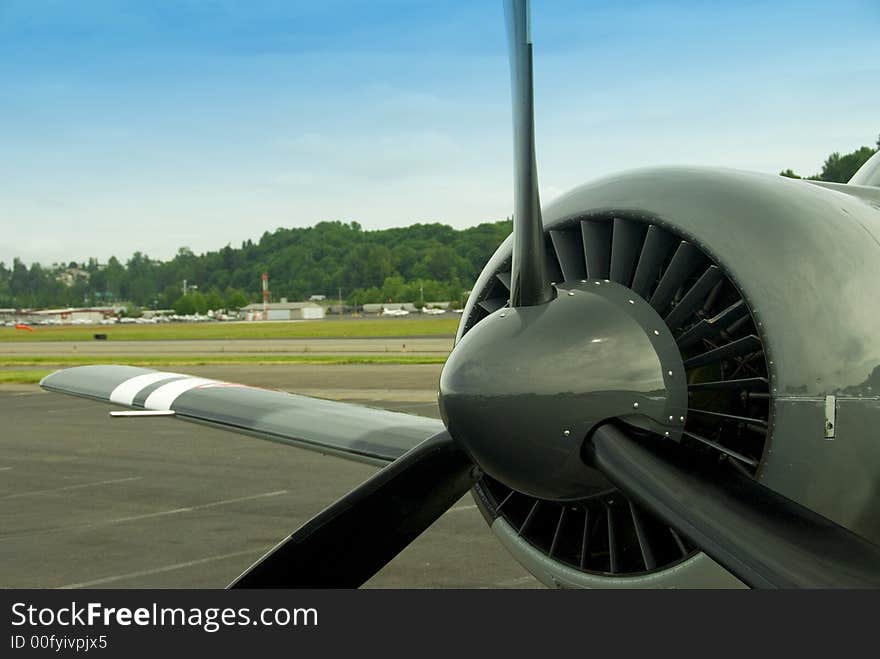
(566, 392)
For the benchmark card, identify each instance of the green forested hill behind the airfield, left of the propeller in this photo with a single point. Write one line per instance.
(369, 266)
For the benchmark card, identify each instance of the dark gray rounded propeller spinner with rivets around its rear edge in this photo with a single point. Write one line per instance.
(524, 388)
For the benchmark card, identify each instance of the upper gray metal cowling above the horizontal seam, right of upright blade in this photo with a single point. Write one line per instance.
(782, 242)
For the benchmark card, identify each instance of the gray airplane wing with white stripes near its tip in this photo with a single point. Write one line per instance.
(355, 432)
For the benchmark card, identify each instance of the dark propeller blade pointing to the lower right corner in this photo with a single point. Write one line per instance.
(764, 539)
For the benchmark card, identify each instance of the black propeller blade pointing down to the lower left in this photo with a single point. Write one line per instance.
(346, 544)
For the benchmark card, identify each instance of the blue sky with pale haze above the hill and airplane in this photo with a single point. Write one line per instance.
(150, 125)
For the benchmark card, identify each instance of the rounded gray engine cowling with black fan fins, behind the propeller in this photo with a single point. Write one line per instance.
(766, 286)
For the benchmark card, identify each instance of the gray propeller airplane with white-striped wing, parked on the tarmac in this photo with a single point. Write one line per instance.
(665, 378)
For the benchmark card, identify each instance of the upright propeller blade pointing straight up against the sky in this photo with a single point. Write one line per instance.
(529, 283)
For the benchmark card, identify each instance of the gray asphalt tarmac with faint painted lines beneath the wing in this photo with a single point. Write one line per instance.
(90, 501)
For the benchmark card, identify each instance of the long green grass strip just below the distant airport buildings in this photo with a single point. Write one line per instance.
(342, 329)
